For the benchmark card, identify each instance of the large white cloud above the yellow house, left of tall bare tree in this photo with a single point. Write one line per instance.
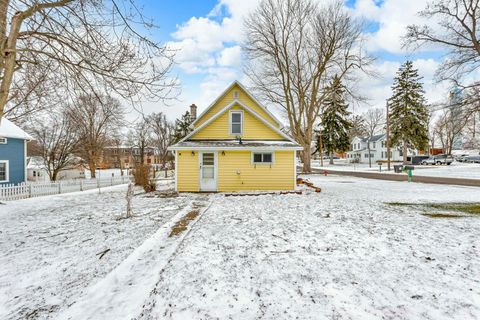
(208, 46)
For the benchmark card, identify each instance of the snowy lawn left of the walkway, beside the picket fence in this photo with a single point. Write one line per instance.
(49, 246)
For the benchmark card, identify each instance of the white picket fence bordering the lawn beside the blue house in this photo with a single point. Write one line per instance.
(38, 189)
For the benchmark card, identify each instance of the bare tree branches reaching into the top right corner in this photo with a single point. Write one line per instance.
(457, 30)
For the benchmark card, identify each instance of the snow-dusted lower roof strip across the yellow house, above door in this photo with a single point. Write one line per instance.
(235, 144)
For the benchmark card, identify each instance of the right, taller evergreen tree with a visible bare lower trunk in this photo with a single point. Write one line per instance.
(408, 111)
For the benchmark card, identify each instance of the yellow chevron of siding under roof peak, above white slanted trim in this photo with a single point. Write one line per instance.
(227, 98)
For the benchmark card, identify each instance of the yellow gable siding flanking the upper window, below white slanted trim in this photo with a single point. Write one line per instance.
(252, 128)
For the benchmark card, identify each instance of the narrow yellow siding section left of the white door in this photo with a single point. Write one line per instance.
(187, 171)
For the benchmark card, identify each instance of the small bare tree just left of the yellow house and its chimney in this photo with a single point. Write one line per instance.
(163, 135)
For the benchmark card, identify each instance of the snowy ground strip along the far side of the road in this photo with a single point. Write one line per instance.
(455, 170)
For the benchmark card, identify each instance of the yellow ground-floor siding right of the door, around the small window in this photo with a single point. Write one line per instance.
(278, 176)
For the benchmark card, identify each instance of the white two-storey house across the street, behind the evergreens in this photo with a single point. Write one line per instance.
(378, 150)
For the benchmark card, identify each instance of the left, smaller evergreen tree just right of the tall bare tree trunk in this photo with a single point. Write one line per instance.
(335, 125)
